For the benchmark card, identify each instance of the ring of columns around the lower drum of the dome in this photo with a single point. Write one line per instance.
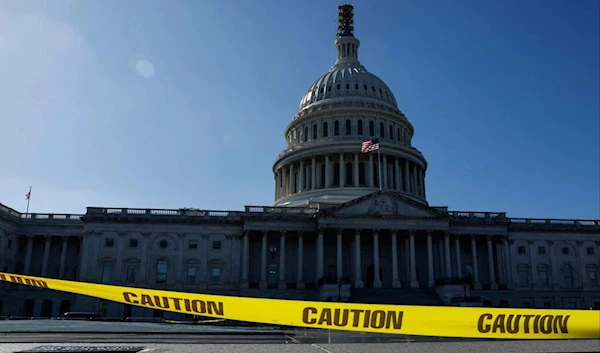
(402, 174)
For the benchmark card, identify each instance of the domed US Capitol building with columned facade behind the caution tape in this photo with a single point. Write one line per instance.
(342, 227)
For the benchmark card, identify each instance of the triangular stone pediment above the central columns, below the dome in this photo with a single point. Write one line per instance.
(384, 203)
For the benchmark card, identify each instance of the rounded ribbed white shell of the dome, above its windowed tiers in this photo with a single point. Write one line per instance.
(345, 81)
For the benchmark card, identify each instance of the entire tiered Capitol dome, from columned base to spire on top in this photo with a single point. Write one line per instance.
(323, 163)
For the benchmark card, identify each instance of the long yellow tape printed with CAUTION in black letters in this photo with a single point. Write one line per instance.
(395, 319)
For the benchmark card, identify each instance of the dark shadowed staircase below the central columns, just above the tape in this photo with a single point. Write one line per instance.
(402, 296)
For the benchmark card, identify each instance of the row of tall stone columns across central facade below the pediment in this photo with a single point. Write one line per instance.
(410, 257)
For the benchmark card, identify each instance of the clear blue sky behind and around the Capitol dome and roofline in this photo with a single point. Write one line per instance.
(168, 104)
